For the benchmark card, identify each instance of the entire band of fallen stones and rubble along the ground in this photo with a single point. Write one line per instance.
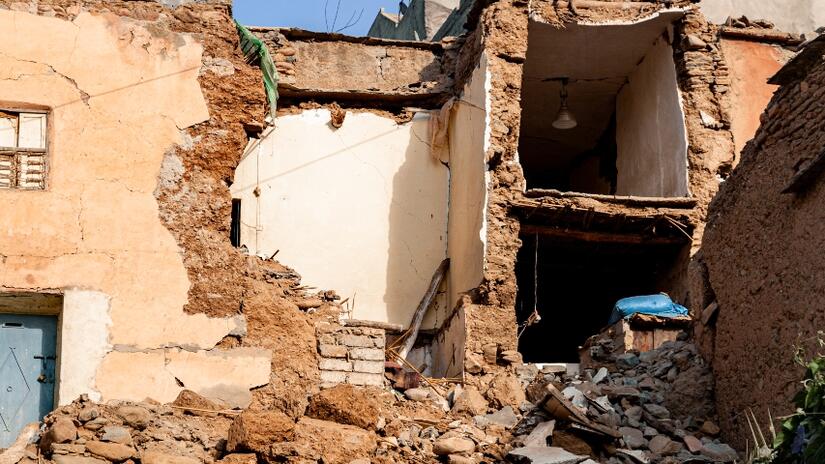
(622, 408)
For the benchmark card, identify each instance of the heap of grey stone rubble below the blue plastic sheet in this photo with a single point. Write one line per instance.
(652, 407)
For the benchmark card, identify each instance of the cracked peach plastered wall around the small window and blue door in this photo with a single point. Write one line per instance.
(118, 96)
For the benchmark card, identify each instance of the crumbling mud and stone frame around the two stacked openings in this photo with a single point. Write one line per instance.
(703, 81)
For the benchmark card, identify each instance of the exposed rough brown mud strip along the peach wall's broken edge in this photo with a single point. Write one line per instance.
(194, 199)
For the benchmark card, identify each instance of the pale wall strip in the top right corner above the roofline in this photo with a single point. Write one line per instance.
(797, 16)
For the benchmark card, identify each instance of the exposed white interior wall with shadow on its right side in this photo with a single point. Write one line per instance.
(361, 209)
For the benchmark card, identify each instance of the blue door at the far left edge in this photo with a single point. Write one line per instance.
(27, 370)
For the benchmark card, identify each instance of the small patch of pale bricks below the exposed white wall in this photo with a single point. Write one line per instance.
(353, 355)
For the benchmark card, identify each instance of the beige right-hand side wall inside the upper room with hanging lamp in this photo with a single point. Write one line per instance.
(650, 132)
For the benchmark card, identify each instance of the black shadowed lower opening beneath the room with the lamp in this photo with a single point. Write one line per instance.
(572, 282)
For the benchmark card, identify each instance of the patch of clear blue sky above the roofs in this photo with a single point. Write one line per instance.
(309, 14)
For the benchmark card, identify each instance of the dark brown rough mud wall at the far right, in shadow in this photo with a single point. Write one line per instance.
(765, 259)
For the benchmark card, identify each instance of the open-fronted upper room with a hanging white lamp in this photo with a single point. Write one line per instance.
(601, 109)
